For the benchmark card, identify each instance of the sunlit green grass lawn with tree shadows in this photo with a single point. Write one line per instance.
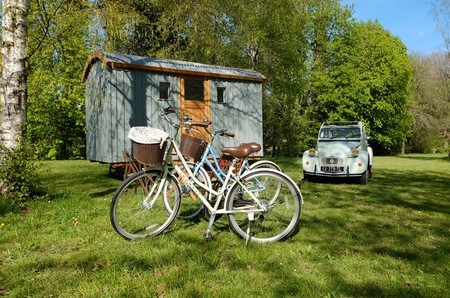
(390, 238)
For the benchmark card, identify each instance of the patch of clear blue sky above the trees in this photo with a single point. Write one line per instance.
(410, 20)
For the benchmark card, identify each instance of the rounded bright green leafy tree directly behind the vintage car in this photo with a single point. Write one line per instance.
(369, 79)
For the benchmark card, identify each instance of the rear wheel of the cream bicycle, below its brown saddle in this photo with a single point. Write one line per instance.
(277, 194)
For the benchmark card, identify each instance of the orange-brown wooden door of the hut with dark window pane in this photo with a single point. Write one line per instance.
(195, 101)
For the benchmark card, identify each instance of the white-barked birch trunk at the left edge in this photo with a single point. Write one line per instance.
(13, 89)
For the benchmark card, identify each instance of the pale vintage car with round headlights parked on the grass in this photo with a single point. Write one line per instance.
(342, 151)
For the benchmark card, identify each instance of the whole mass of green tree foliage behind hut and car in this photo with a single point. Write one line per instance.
(320, 64)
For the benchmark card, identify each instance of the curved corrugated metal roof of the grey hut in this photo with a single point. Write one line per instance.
(172, 66)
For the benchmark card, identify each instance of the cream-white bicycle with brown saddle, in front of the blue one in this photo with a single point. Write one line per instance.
(263, 205)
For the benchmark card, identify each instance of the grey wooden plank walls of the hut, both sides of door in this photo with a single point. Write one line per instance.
(120, 98)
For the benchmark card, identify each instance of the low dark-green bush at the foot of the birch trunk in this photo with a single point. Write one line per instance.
(19, 179)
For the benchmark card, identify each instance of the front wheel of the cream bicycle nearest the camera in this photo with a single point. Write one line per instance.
(138, 207)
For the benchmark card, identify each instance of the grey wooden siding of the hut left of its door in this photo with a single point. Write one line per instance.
(118, 99)
